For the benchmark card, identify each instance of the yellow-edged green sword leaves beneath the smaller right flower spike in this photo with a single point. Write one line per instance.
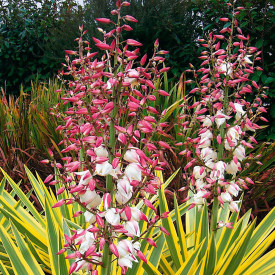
(192, 248)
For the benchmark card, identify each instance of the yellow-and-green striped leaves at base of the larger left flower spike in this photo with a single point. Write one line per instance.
(30, 240)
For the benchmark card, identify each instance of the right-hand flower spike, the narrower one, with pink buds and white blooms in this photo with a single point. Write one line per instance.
(222, 121)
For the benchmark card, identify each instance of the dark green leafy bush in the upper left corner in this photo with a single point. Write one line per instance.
(29, 31)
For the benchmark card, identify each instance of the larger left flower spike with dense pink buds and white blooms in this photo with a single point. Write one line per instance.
(110, 156)
